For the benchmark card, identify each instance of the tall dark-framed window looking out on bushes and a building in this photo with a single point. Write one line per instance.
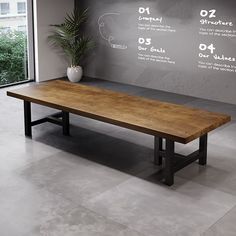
(16, 42)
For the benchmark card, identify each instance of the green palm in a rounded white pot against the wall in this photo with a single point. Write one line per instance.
(73, 43)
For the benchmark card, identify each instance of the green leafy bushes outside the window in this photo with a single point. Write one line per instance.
(13, 57)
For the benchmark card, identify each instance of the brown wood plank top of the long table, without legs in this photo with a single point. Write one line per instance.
(175, 122)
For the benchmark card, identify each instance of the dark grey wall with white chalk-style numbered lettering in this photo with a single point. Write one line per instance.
(182, 46)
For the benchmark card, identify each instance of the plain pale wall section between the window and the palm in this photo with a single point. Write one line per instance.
(48, 64)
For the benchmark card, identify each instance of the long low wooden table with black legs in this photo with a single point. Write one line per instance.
(174, 123)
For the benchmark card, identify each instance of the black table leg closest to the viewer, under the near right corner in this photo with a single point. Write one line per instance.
(169, 162)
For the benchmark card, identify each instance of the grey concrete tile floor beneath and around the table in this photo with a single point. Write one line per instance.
(101, 181)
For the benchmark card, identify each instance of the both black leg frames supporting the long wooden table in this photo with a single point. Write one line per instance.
(172, 163)
